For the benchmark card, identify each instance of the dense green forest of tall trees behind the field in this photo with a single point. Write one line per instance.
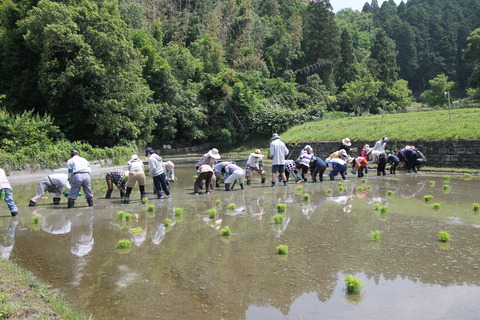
(185, 72)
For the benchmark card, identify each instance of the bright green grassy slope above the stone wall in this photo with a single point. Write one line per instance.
(429, 125)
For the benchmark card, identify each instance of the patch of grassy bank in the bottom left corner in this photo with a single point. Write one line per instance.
(23, 296)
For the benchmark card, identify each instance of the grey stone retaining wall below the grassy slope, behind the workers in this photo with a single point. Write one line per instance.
(448, 154)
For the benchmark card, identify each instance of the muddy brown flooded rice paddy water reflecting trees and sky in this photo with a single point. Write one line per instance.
(188, 271)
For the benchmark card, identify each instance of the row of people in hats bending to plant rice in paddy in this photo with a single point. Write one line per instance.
(211, 172)
